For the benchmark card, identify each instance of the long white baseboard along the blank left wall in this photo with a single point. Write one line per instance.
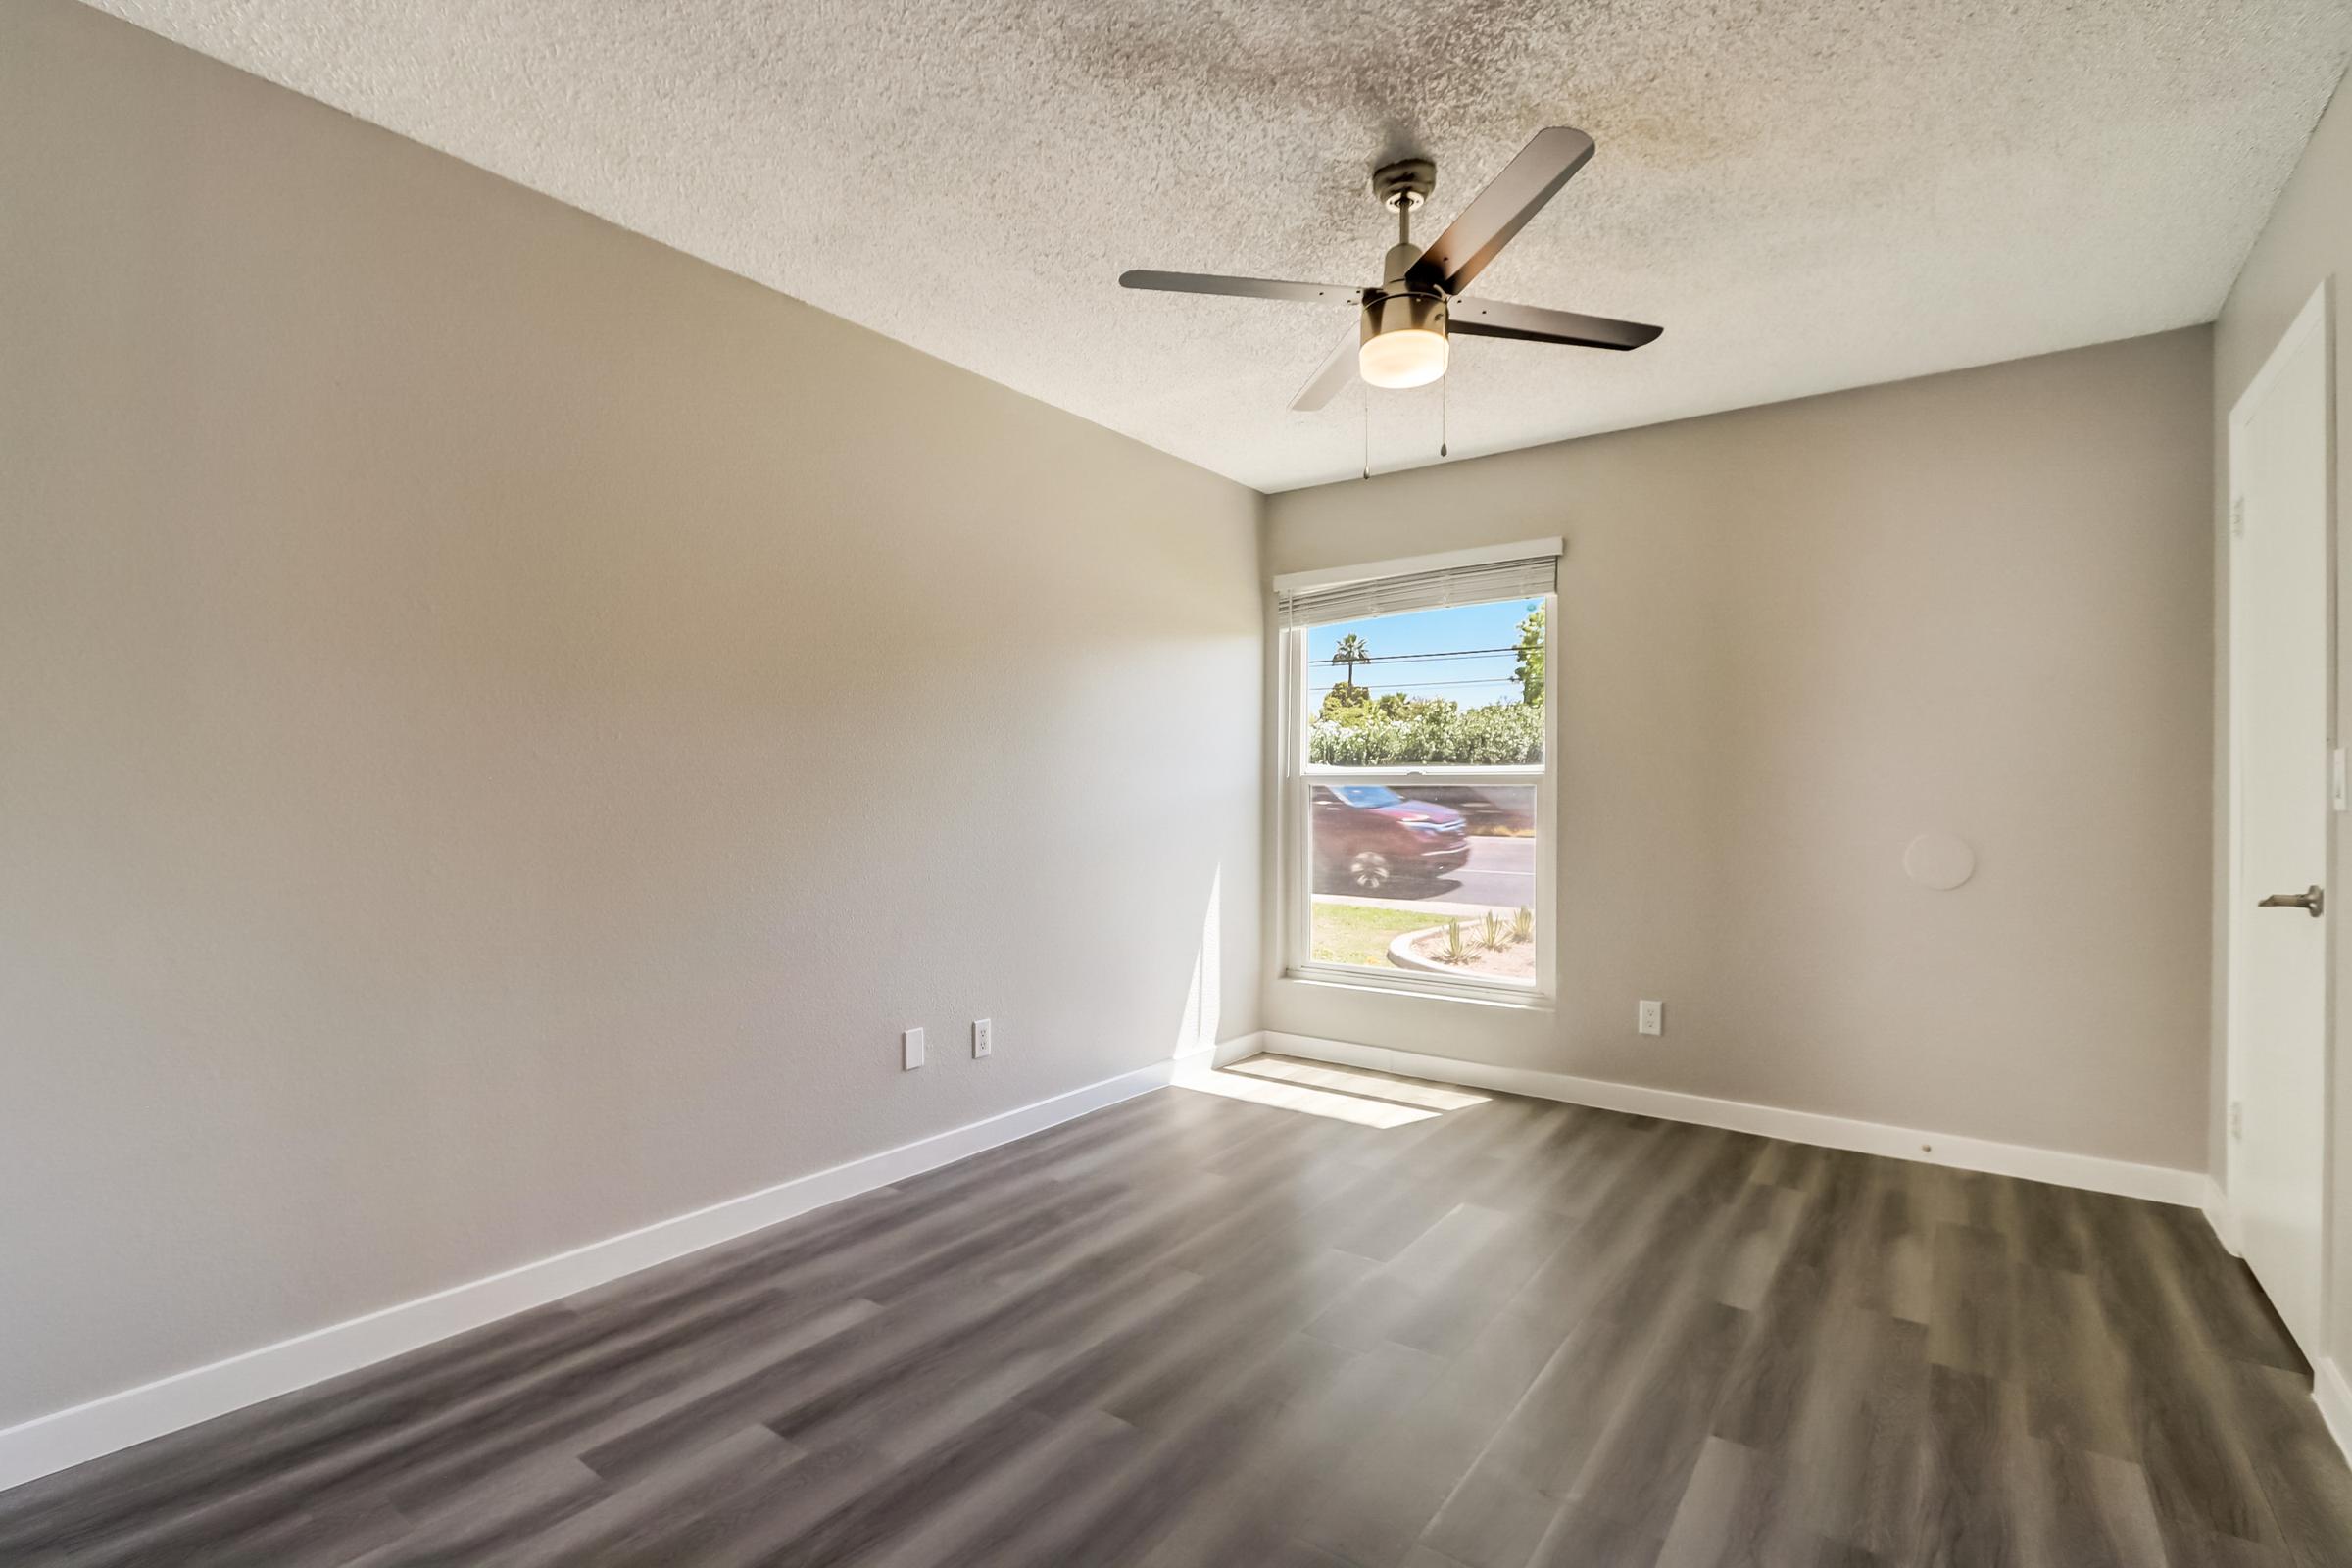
(182, 1400)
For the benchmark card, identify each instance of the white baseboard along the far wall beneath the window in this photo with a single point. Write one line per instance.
(2090, 1172)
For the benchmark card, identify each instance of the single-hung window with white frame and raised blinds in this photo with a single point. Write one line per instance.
(1419, 775)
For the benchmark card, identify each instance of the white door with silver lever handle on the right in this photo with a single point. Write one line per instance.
(2280, 657)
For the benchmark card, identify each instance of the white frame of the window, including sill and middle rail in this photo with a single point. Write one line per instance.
(1299, 779)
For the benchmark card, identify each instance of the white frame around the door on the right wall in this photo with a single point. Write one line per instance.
(2313, 321)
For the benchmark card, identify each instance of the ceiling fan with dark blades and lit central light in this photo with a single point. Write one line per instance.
(1408, 319)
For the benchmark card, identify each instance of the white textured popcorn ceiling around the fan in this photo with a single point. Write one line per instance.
(1808, 194)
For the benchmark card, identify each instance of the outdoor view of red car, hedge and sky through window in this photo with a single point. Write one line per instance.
(1424, 760)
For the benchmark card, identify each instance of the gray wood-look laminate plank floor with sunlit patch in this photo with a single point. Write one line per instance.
(1316, 1318)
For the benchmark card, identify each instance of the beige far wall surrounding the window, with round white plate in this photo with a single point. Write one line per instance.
(1796, 638)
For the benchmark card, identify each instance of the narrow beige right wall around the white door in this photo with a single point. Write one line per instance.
(2306, 243)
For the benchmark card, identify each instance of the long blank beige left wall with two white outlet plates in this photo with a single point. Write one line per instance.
(505, 725)
